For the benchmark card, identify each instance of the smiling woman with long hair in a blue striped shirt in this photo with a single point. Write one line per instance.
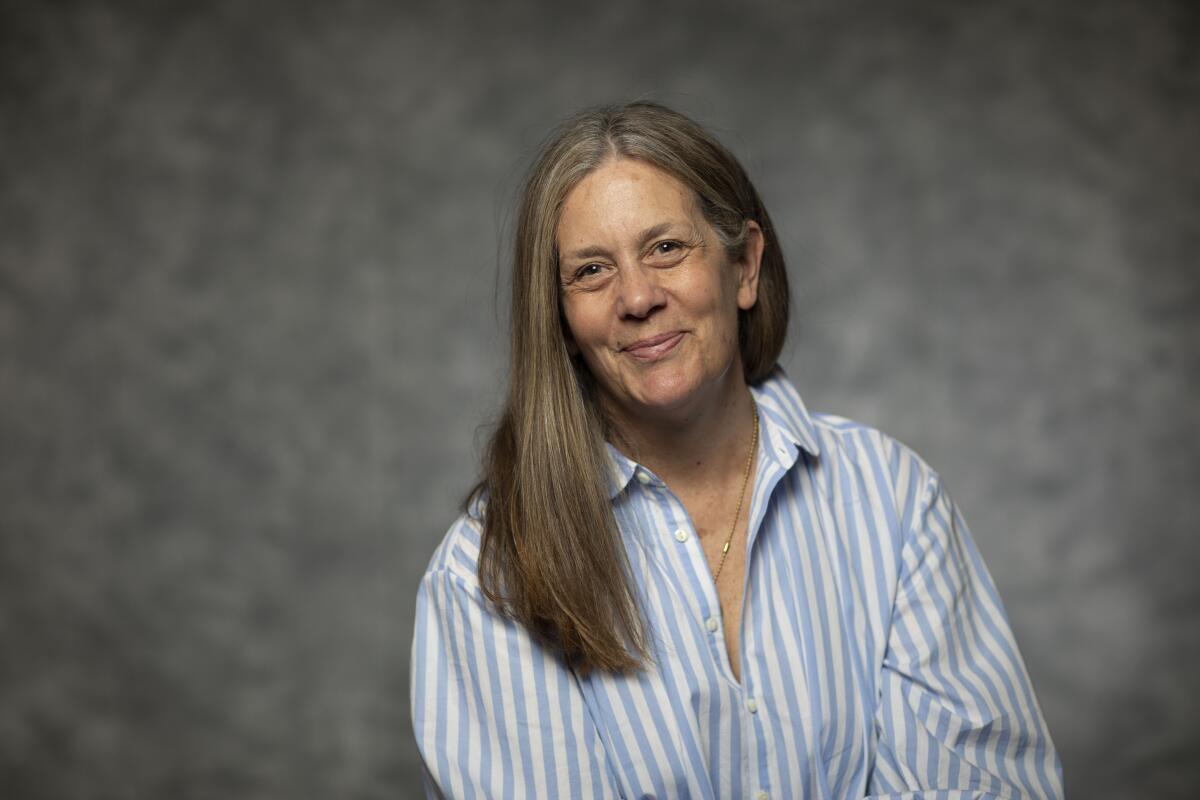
(674, 581)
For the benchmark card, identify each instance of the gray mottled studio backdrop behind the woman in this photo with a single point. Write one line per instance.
(249, 335)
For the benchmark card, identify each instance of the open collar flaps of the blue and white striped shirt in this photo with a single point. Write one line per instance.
(783, 419)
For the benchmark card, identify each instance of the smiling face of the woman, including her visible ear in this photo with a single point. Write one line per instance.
(650, 296)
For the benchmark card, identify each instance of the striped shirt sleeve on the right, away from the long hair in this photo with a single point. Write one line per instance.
(957, 715)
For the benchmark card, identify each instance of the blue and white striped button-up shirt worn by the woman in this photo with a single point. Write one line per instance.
(877, 658)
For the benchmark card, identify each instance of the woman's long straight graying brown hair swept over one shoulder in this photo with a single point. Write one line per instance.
(551, 556)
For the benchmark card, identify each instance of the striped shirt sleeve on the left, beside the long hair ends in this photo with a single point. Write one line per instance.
(495, 715)
